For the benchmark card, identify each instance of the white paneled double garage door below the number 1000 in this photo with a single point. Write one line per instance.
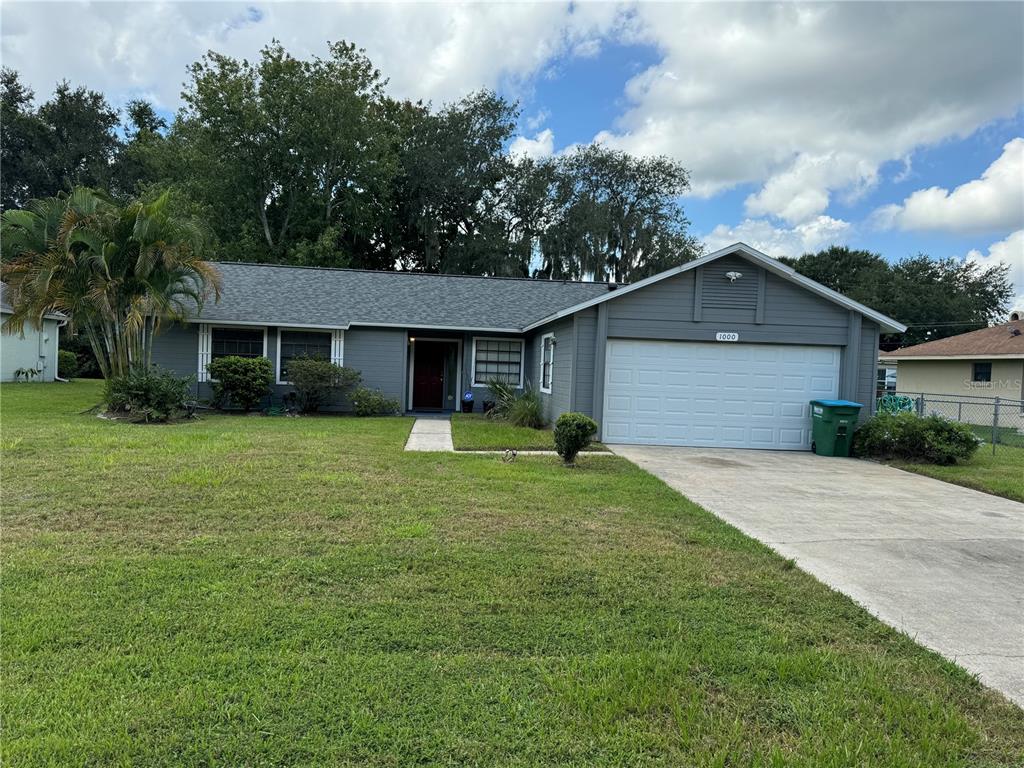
(715, 395)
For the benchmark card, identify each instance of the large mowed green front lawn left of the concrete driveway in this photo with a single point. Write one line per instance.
(282, 592)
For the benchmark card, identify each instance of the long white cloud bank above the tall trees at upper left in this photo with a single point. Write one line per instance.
(434, 52)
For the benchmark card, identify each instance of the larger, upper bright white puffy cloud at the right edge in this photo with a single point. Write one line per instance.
(994, 202)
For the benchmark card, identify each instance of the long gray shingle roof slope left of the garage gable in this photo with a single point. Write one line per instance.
(286, 295)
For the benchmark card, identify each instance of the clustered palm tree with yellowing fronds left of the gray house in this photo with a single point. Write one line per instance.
(119, 273)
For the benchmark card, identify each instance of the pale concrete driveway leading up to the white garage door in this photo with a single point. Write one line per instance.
(944, 564)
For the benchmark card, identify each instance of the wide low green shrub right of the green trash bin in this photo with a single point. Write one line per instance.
(932, 440)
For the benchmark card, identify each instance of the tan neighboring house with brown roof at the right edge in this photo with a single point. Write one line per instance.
(975, 367)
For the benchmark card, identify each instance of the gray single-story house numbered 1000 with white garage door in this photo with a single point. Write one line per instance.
(722, 352)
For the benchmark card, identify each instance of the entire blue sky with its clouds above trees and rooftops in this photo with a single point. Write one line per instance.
(895, 127)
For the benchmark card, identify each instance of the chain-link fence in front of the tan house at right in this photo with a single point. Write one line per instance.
(999, 421)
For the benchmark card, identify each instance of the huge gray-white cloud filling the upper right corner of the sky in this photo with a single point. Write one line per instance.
(813, 100)
